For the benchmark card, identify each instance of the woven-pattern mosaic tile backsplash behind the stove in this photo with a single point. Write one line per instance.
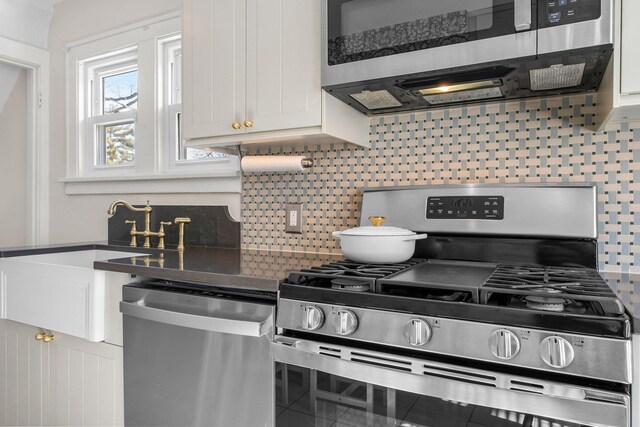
(539, 140)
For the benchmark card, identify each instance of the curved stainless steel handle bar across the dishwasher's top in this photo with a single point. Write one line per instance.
(249, 328)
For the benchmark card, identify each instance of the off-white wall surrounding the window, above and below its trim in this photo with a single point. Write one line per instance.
(84, 218)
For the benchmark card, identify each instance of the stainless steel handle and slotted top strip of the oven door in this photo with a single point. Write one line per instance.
(458, 383)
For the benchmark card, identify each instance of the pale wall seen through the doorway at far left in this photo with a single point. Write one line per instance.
(13, 162)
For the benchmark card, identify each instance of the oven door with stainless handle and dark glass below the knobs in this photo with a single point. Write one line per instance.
(321, 384)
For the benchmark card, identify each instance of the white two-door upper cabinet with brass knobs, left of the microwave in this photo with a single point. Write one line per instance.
(251, 74)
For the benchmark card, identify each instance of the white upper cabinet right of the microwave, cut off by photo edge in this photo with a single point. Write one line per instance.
(619, 94)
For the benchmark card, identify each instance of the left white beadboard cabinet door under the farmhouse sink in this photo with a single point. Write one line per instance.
(24, 376)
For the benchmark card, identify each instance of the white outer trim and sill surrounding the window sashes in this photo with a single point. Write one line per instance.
(154, 172)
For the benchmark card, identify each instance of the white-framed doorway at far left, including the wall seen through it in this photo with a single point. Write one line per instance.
(24, 140)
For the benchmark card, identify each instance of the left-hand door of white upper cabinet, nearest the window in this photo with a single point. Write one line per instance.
(213, 55)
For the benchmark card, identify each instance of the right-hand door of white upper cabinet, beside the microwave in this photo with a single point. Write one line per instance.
(283, 64)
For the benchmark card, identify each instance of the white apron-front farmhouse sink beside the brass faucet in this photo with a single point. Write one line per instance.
(57, 291)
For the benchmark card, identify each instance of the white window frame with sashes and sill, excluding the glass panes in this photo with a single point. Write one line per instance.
(153, 166)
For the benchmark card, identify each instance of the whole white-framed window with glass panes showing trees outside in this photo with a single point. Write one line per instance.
(124, 107)
